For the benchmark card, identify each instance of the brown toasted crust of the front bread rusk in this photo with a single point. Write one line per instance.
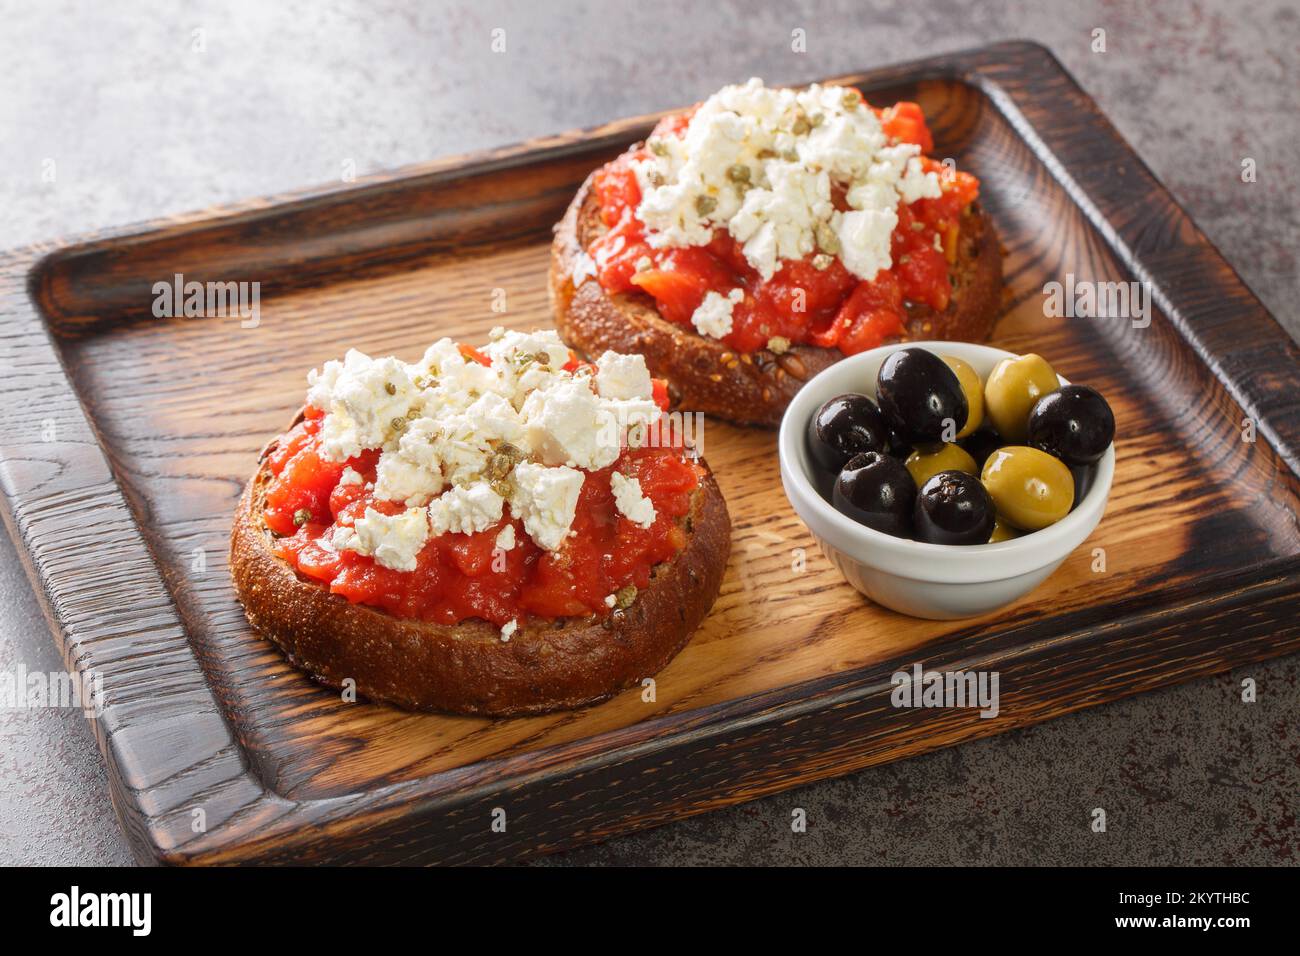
(469, 669)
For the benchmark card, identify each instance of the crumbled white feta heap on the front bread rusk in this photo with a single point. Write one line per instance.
(453, 431)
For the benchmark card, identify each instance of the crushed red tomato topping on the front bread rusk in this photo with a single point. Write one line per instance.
(461, 577)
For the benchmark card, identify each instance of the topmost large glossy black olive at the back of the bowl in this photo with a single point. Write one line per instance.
(921, 397)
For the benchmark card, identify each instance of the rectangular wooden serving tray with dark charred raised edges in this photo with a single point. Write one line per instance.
(127, 439)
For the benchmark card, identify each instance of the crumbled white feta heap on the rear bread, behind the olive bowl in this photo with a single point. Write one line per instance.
(761, 163)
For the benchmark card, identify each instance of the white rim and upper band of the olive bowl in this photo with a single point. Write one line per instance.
(921, 560)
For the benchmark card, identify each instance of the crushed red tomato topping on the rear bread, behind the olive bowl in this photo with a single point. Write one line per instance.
(838, 309)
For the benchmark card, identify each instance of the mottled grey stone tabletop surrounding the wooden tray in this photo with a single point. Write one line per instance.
(140, 124)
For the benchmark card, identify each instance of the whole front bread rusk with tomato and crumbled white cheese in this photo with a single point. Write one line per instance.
(491, 533)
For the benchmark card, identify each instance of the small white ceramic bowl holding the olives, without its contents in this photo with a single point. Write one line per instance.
(939, 582)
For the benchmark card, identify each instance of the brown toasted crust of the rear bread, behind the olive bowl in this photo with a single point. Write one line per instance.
(708, 377)
